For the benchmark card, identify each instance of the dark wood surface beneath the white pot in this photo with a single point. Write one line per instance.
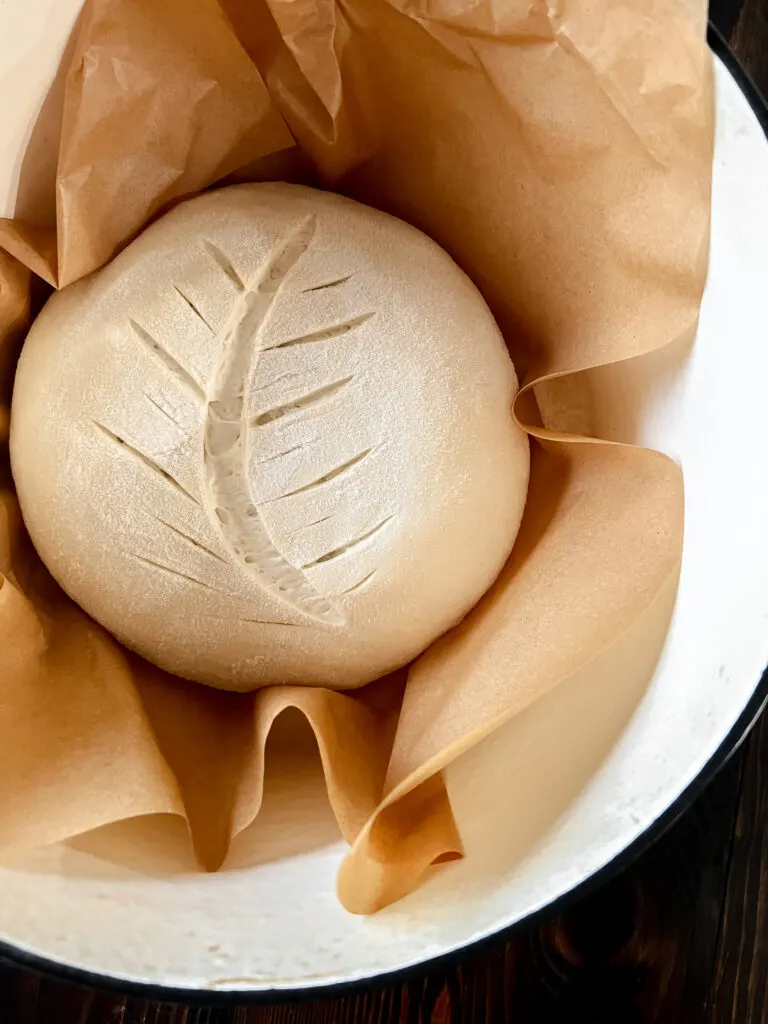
(681, 937)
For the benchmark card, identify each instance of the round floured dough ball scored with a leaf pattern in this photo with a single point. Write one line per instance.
(272, 442)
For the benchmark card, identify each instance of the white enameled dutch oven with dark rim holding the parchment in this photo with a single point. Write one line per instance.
(126, 907)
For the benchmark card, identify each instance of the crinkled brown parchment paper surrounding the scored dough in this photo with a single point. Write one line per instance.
(562, 153)
